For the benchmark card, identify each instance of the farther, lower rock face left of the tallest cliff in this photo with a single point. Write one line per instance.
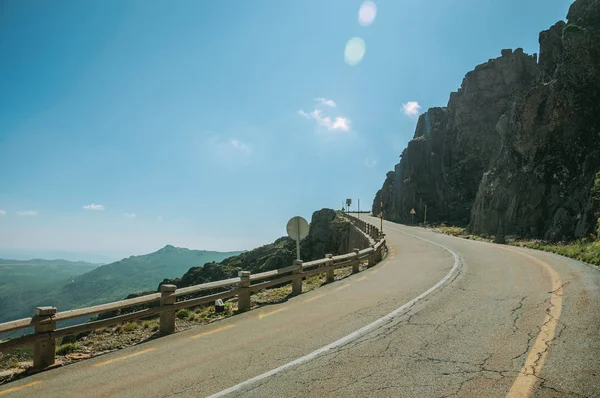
(453, 146)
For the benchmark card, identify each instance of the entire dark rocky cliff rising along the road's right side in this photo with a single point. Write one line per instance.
(516, 149)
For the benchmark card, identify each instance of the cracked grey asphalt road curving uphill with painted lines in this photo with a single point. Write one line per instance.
(506, 322)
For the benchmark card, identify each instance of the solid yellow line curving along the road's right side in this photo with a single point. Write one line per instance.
(525, 383)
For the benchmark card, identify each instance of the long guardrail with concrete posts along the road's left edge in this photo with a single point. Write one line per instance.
(167, 304)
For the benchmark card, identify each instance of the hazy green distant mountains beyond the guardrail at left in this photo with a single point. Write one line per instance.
(98, 285)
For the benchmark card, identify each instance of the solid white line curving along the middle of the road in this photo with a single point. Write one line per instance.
(354, 335)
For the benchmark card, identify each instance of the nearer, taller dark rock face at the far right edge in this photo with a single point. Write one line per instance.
(540, 183)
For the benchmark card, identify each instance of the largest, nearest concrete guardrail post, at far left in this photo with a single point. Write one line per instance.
(44, 348)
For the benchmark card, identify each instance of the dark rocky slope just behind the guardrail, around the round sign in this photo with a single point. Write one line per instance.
(329, 233)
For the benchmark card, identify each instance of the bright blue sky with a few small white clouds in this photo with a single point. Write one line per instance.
(129, 125)
